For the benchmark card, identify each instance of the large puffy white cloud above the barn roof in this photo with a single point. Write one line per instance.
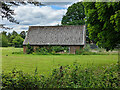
(32, 15)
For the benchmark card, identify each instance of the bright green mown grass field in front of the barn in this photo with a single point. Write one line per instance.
(46, 63)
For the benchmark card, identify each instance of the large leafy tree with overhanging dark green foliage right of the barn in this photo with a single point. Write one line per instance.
(103, 23)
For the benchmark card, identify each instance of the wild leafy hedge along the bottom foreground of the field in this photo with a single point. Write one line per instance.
(70, 76)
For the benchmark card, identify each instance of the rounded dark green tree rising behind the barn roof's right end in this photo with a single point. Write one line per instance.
(75, 15)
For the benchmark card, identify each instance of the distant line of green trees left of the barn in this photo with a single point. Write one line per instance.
(12, 39)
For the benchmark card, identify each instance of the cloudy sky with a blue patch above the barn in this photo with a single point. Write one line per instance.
(29, 15)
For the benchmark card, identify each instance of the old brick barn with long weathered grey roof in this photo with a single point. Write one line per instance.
(72, 36)
